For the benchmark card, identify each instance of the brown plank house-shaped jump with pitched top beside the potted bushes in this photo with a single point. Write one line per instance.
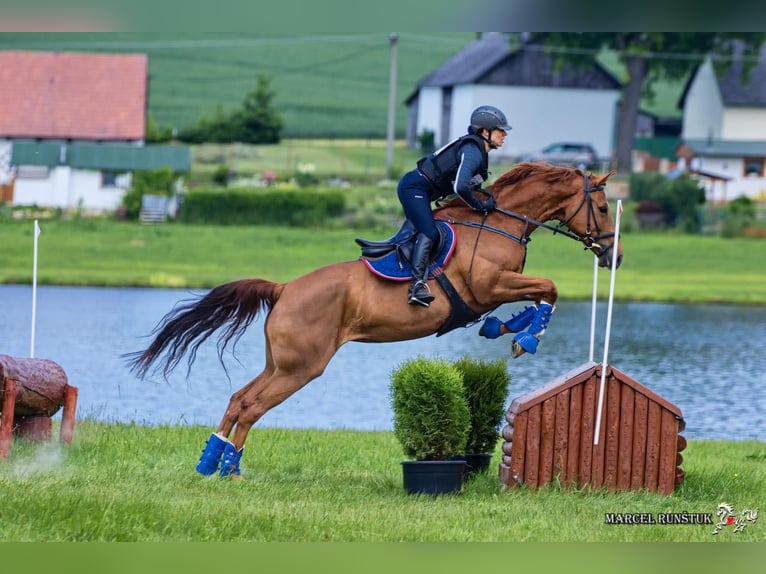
(549, 435)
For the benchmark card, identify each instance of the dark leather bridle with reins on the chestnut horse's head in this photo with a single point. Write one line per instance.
(588, 240)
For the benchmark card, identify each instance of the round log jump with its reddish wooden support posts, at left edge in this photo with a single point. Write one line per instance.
(31, 392)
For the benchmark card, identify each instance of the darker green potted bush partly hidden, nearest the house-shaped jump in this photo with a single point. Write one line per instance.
(485, 387)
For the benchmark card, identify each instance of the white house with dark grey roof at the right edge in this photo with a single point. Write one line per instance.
(724, 130)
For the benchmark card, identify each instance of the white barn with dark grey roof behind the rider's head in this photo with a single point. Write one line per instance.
(543, 104)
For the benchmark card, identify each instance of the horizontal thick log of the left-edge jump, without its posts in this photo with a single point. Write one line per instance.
(40, 385)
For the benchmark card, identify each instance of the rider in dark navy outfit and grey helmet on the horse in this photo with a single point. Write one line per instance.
(459, 167)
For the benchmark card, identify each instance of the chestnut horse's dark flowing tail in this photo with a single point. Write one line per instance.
(191, 322)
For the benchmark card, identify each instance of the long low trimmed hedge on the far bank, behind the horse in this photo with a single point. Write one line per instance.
(243, 206)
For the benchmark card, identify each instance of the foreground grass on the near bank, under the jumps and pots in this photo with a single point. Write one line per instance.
(130, 483)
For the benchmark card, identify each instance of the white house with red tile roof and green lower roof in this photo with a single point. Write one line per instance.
(72, 128)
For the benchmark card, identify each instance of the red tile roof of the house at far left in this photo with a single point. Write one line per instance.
(69, 95)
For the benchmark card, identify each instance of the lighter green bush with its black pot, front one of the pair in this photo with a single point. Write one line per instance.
(431, 423)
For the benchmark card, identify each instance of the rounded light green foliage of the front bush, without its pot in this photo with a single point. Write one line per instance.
(431, 418)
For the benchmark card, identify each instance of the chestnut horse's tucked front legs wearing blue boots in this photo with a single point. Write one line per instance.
(530, 323)
